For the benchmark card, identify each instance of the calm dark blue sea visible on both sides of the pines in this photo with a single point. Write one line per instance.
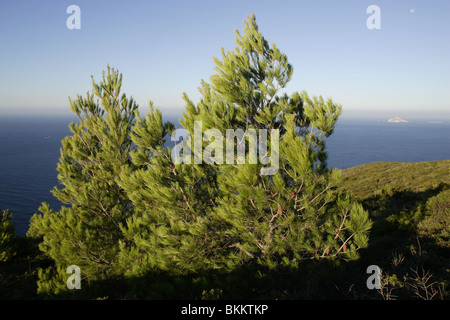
(30, 149)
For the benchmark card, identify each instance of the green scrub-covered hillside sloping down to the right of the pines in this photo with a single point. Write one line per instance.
(409, 204)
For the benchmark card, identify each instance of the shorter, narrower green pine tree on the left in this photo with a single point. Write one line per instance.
(85, 232)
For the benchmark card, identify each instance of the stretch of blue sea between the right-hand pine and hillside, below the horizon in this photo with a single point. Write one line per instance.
(357, 142)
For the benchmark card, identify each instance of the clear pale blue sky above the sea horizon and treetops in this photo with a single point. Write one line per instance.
(165, 48)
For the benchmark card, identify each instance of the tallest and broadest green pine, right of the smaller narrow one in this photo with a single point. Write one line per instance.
(191, 218)
